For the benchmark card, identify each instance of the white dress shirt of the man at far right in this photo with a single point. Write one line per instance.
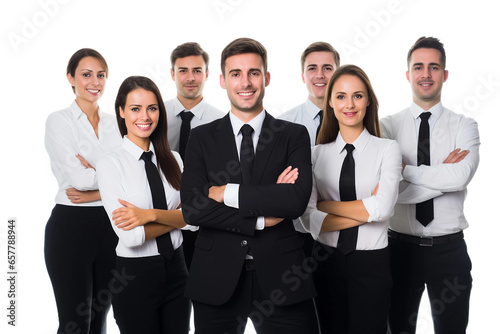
(446, 183)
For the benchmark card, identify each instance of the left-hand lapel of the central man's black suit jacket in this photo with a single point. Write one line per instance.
(227, 148)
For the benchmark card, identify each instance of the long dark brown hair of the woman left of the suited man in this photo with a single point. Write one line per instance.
(166, 160)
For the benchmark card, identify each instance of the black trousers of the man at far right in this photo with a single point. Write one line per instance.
(445, 270)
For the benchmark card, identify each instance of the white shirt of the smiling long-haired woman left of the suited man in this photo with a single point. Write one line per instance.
(122, 175)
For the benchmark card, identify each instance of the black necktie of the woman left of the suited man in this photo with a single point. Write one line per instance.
(163, 242)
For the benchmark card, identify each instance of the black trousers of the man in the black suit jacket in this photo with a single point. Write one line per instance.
(248, 301)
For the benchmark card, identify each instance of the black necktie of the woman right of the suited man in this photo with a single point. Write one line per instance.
(347, 185)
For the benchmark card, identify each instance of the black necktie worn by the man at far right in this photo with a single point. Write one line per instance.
(424, 210)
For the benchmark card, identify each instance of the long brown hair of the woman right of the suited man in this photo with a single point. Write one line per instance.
(330, 126)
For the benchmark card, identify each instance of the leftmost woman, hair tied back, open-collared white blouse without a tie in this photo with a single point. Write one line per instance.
(79, 242)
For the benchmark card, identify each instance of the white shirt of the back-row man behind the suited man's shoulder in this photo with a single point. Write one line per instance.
(305, 114)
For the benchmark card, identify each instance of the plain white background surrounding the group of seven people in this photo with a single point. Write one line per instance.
(136, 38)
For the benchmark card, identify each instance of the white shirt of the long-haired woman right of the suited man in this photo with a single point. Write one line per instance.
(378, 162)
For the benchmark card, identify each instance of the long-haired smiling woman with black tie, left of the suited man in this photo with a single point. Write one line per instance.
(151, 297)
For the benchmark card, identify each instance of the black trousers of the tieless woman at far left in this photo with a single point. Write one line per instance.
(80, 257)
